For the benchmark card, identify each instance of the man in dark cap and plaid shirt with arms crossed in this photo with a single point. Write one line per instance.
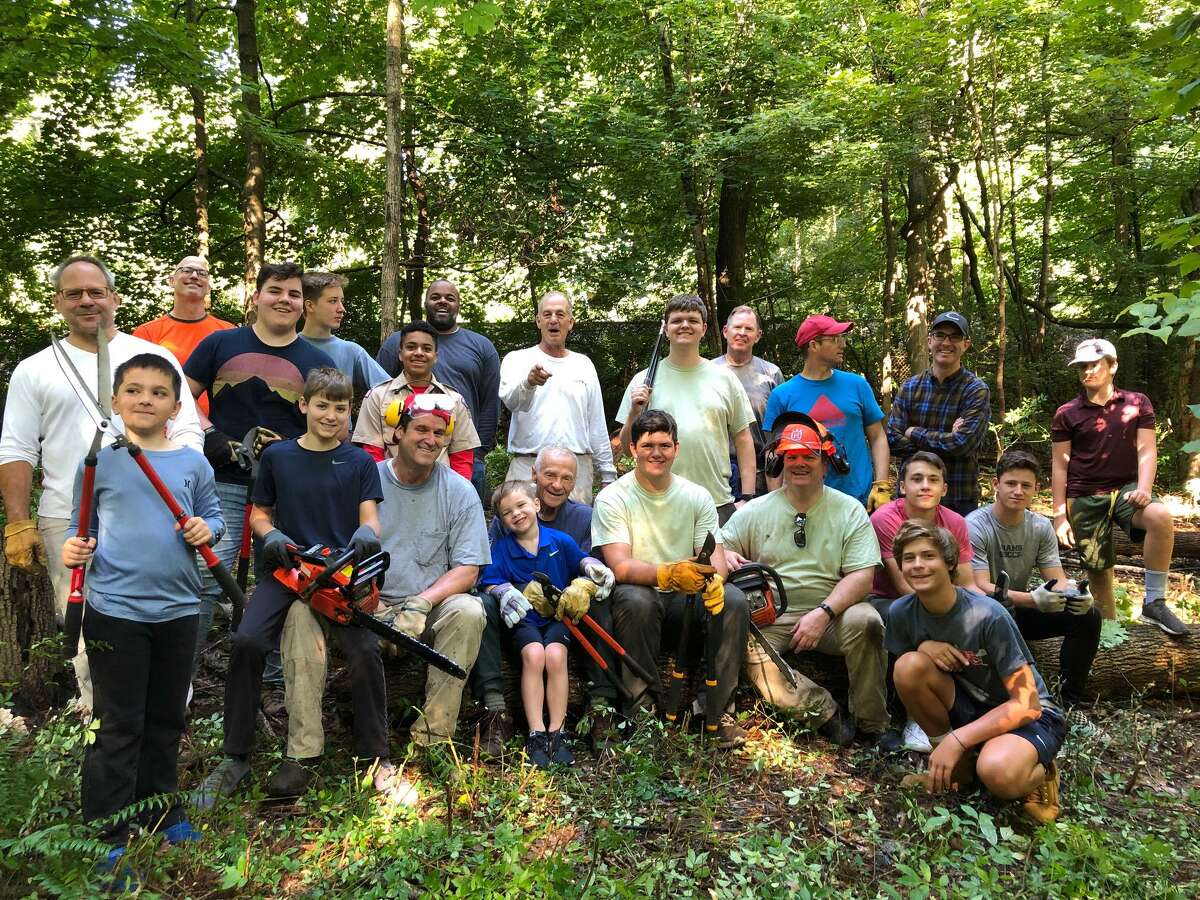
(945, 410)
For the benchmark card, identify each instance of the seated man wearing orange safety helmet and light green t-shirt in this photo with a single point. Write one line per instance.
(824, 548)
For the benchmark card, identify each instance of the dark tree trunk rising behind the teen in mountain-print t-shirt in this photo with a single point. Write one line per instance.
(255, 184)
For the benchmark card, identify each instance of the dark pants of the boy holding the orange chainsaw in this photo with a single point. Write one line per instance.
(260, 633)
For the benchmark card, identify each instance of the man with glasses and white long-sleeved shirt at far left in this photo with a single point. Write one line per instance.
(49, 424)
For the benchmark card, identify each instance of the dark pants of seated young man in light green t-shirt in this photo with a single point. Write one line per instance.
(649, 621)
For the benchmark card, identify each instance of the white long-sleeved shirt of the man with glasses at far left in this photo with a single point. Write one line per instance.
(47, 423)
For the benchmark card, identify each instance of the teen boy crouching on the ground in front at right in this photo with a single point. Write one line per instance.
(968, 679)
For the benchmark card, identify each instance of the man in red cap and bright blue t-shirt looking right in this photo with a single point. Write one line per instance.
(843, 403)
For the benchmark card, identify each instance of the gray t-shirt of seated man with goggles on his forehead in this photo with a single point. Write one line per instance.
(429, 530)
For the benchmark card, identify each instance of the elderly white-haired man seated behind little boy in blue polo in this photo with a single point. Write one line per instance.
(554, 478)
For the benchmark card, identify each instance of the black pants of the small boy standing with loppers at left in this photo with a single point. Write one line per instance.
(140, 675)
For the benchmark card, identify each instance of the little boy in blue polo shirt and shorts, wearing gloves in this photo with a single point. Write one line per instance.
(526, 549)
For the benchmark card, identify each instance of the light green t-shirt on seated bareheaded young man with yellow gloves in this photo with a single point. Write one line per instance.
(658, 527)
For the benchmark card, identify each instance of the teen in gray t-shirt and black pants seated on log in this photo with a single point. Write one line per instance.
(1006, 537)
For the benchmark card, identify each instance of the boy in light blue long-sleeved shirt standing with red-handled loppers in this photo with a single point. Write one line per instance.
(143, 601)
